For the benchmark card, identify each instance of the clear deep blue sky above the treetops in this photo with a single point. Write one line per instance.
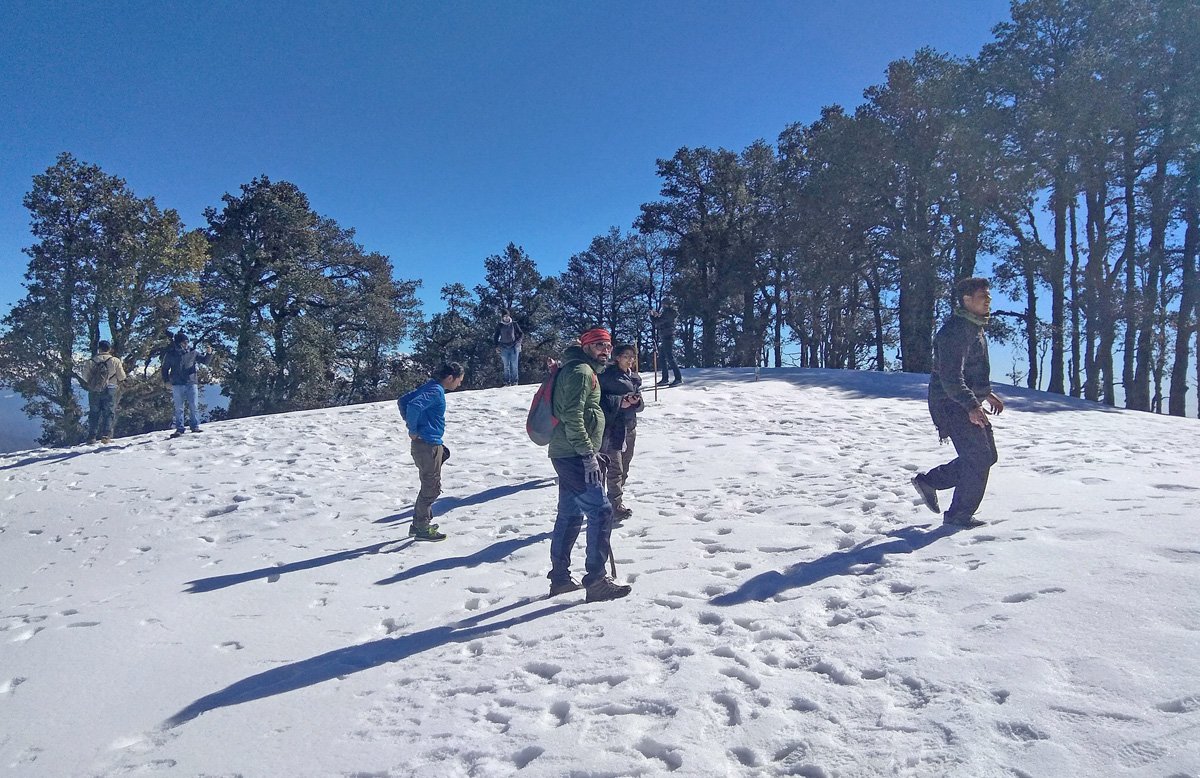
(440, 131)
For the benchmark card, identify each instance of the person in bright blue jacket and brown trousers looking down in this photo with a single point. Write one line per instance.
(425, 415)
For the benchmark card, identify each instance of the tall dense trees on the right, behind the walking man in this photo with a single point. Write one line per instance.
(1065, 160)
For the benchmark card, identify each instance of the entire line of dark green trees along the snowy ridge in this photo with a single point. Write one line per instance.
(1064, 160)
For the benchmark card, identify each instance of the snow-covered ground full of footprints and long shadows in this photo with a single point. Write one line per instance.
(245, 602)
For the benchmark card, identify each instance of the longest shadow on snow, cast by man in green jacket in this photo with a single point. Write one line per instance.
(350, 660)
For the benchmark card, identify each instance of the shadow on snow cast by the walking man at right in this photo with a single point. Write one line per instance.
(860, 560)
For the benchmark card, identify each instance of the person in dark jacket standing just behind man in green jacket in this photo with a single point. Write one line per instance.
(621, 399)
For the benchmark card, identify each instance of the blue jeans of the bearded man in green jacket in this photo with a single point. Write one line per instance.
(577, 500)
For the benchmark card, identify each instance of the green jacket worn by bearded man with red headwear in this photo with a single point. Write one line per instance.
(580, 427)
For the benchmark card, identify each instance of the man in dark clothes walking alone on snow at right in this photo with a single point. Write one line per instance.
(961, 398)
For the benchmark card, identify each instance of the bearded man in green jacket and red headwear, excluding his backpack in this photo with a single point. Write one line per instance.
(575, 454)
